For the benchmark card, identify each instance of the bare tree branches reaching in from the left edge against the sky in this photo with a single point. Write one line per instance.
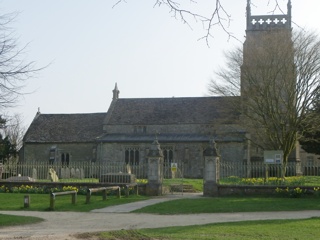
(14, 70)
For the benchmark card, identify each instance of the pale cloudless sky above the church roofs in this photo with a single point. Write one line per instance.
(90, 46)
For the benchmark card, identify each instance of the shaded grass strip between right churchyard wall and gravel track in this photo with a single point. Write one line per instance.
(232, 204)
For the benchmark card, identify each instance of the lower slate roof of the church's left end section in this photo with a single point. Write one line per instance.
(83, 127)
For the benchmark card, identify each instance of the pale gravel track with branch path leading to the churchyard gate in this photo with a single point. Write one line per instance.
(63, 225)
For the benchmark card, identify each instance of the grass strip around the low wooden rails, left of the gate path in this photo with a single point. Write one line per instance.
(40, 202)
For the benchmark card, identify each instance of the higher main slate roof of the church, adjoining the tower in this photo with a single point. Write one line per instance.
(154, 111)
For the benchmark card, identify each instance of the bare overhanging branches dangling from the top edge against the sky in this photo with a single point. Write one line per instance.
(217, 17)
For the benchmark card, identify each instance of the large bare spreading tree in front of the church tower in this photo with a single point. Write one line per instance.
(278, 81)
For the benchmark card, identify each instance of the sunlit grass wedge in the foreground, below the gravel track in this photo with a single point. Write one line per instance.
(307, 229)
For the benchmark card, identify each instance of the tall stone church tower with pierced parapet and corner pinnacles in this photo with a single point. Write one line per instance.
(267, 76)
